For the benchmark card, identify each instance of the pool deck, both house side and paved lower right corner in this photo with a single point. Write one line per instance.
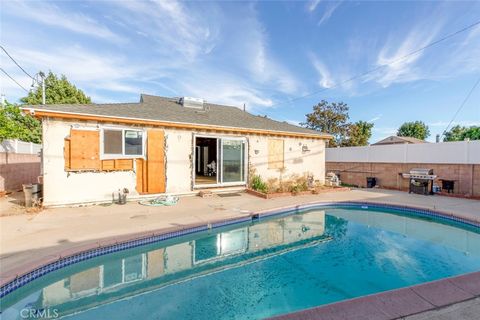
(31, 240)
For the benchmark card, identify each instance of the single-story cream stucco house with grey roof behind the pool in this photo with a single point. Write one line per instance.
(166, 145)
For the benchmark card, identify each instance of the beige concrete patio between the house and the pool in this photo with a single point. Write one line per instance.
(31, 239)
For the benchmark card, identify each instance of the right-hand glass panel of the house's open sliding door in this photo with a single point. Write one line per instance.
(233, 154)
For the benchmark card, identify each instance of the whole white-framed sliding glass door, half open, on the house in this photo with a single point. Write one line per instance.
(225, 156)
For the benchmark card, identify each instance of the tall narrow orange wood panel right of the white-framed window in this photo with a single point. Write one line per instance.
(155, 161)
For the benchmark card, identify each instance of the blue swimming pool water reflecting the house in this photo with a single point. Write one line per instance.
(255, 270)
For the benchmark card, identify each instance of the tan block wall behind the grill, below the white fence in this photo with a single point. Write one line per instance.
(466, 176)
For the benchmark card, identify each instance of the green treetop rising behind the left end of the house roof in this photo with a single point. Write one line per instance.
(58, 91)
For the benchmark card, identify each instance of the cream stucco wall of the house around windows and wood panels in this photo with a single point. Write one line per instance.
(61, 187)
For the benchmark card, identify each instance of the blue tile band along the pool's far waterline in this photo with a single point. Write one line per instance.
(62, 262)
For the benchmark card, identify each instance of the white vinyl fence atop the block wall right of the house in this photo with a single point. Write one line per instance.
(459, 152)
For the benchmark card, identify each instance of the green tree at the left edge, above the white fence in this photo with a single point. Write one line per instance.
(14, 124)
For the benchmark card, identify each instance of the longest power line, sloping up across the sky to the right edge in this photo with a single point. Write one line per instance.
(383, 66)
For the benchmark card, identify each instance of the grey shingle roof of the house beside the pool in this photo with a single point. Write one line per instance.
(169, 110)
